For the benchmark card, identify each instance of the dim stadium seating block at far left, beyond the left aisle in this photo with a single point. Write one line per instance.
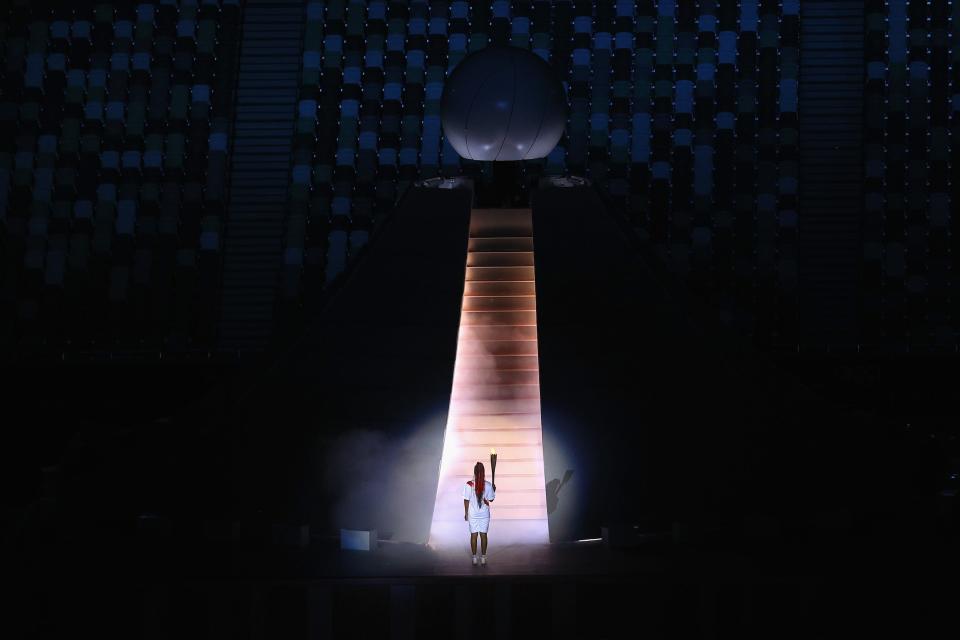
(114, 124)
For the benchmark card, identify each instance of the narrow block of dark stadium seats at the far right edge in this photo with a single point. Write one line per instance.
(911, 106)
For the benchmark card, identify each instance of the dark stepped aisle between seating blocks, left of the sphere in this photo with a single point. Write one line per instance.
(267, 87)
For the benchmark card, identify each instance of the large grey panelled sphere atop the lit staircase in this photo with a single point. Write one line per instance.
(503, 103)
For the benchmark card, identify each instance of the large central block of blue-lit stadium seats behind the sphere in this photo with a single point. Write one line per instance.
(685, 114)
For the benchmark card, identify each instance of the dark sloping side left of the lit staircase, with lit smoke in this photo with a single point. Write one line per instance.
(363, 397)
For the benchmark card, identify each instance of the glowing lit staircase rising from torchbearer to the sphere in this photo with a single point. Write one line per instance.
(495, 401)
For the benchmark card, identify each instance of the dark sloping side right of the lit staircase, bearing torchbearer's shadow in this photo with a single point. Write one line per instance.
(642, 396)
